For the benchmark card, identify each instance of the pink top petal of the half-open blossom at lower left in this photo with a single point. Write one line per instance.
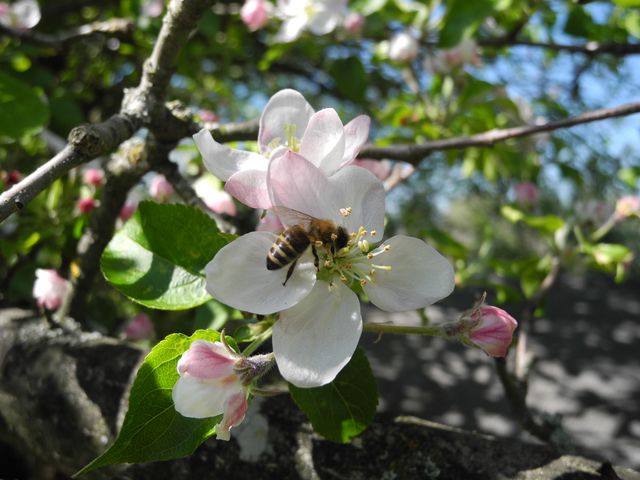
(206, 361)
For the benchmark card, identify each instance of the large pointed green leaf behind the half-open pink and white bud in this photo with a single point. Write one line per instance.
(152, 429)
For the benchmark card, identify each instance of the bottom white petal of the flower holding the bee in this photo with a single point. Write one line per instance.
(314, 340)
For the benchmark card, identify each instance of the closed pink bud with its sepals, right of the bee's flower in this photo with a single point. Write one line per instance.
(486, 327)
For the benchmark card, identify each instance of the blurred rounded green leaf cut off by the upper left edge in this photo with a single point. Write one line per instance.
(22, 110)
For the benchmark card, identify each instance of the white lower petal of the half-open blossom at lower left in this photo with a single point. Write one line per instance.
(197, 399)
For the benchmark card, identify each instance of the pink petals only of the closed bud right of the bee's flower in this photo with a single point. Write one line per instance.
(491, 330)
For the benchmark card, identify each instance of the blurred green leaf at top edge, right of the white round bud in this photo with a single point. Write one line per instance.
(462, 20)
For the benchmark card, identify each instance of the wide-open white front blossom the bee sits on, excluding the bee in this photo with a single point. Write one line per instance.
(319, 324)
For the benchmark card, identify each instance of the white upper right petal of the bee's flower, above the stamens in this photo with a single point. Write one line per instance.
(359, 189)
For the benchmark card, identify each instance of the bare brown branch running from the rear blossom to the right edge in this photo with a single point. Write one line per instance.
(414, 153)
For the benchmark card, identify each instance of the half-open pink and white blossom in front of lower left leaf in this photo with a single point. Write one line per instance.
(215, 380)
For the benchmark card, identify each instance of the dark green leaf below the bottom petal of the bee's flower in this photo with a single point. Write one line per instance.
(346, 406)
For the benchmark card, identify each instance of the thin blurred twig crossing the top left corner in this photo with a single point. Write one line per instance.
(61, 39)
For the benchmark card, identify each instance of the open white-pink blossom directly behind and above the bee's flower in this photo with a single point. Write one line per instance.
(288, 123)
